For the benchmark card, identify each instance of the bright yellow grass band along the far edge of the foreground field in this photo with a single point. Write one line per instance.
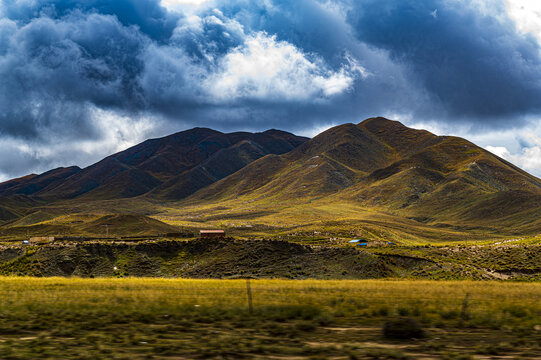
(355, 296)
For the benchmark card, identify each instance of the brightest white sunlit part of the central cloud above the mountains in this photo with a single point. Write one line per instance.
(264, 68)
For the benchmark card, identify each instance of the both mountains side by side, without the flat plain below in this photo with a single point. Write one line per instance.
(378, 165)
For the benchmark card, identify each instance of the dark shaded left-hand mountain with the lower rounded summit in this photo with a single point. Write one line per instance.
(178, 164)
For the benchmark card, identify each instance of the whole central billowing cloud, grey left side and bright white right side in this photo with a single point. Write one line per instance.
(257, 67)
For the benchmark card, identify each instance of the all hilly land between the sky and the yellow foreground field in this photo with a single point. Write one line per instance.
(377, 180)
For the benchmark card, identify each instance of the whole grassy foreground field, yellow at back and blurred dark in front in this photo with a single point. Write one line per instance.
(178, 318)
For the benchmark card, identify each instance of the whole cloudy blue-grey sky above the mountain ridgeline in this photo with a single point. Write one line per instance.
(81, 79)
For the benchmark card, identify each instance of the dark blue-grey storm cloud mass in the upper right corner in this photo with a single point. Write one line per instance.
(475, 65)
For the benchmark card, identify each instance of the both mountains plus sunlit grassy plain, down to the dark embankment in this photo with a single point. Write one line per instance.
(377, 179)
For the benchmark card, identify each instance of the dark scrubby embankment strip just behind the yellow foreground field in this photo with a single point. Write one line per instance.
(268, 259)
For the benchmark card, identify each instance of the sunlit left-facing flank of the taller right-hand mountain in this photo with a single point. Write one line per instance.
(330, 162)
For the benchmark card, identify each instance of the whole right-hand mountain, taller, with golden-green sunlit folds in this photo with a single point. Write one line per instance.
(382, 164)
